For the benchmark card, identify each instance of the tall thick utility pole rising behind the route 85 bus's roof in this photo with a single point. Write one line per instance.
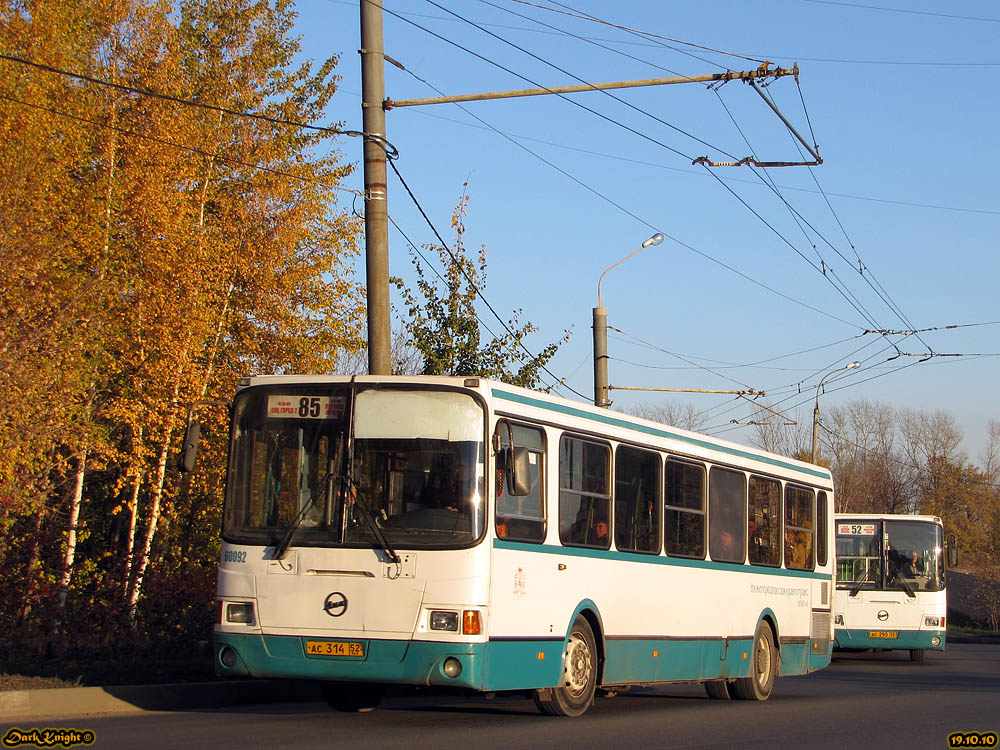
(376, 210)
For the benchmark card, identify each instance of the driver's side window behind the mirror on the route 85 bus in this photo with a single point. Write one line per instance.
(520, 518)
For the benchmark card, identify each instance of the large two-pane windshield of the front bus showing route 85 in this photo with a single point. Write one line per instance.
(412, 465)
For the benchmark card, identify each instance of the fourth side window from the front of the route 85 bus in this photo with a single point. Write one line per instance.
(684, 514)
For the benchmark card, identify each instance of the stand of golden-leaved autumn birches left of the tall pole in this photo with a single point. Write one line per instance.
(158, 244)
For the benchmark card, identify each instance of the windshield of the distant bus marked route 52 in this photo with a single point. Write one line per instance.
(889, 555)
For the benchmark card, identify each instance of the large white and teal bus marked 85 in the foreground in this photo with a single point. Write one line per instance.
(462, 532)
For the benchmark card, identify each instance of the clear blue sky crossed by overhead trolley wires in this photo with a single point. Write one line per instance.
(901, 97)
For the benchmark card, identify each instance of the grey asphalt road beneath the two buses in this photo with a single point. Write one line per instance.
(860, 701)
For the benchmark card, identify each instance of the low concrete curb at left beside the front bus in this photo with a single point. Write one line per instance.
(85, 701)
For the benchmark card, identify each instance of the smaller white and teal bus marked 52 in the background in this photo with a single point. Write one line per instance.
(891, 590)
